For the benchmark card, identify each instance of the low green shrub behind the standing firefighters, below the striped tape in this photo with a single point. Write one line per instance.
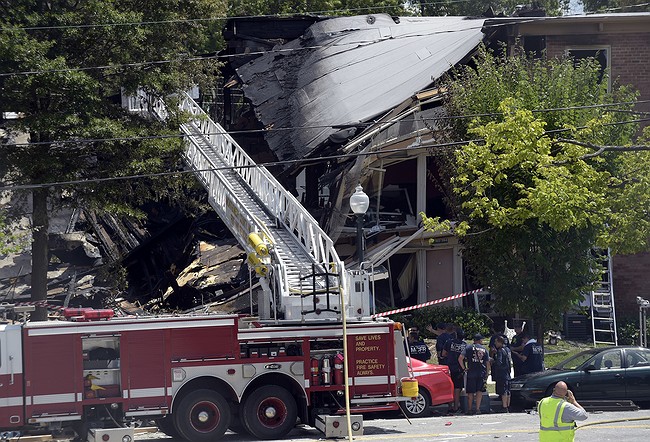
(469, 320)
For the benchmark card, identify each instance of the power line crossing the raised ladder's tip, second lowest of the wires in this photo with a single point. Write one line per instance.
(325, 126)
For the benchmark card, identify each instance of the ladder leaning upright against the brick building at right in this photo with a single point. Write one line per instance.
(603, 311)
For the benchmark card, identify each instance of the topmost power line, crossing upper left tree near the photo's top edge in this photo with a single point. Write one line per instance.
(209, 19)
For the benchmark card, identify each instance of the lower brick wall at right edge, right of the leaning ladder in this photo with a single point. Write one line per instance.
(631, 279)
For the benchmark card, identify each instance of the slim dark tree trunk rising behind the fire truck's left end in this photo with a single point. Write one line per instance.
(39, 253)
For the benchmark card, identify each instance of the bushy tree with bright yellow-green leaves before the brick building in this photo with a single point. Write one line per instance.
(551, 173)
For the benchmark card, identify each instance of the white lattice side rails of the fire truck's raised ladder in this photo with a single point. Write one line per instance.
(279, 203)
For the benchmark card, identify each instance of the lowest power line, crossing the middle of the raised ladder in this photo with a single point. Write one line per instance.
(303, 161)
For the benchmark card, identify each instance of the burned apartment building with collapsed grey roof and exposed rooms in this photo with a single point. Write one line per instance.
(331, 102)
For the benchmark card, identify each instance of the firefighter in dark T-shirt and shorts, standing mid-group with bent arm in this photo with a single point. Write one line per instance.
(476, 363)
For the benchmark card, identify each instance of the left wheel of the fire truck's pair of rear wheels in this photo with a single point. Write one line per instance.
(202, 416)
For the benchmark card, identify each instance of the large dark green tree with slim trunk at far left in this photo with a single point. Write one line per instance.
(66, 80)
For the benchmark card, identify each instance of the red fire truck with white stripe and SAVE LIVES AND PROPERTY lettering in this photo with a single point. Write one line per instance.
(196, 375)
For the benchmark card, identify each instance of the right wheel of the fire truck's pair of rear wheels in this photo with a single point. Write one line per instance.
(270, 412)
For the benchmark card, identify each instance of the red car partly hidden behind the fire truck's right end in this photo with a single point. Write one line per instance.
(435, 387)
